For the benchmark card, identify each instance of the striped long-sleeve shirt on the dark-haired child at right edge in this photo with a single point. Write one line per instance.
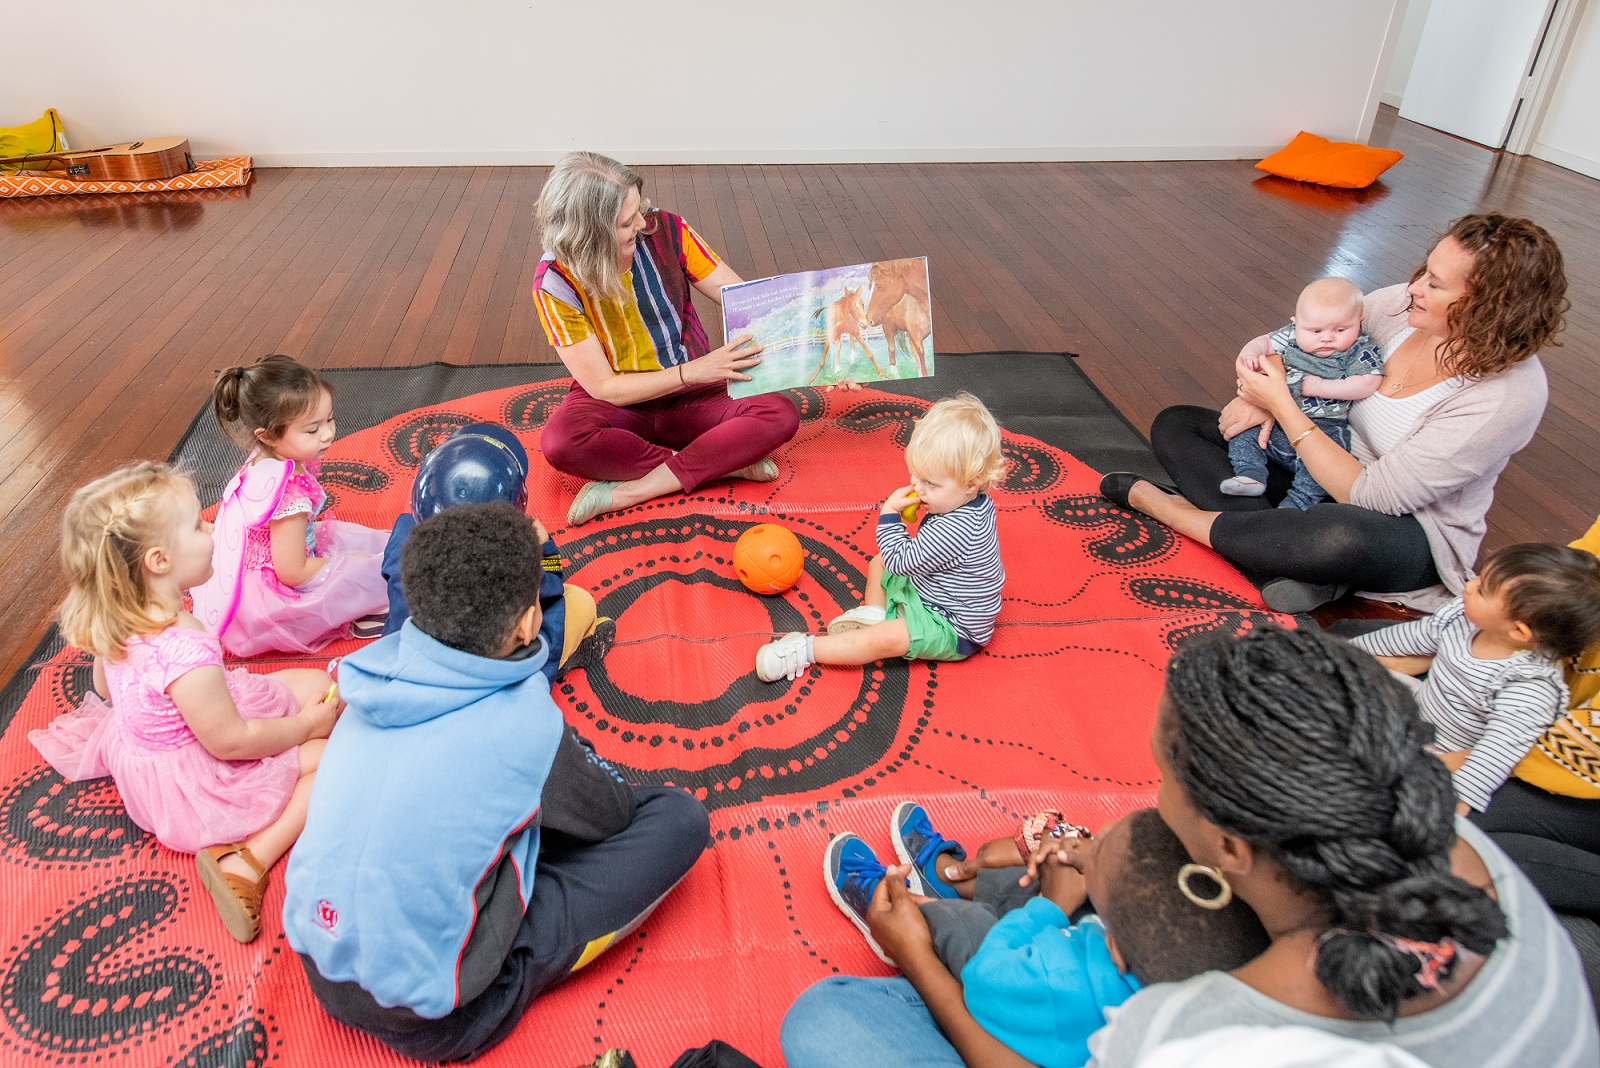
(1497, 709)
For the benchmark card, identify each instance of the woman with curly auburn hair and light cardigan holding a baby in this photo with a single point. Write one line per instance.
(1463, 391)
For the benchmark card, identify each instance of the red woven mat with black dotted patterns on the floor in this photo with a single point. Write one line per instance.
(114, 955)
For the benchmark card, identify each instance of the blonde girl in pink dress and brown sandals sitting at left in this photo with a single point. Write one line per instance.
(214, 763)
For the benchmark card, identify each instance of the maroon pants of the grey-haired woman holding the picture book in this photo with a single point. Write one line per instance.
(700, 436)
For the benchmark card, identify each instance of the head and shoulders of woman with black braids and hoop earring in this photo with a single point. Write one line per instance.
(1294, 771)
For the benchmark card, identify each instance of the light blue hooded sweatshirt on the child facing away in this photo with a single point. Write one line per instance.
(420, 848)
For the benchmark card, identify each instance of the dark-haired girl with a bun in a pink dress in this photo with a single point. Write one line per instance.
(286, 578)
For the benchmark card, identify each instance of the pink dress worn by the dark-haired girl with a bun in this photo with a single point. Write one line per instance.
(244, 600)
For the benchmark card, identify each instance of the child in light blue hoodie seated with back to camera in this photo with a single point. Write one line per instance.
(465, 850)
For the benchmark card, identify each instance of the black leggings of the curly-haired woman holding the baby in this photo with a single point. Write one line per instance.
(1330, 544)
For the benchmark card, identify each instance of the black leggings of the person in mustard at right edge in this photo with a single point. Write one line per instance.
(1554, 840)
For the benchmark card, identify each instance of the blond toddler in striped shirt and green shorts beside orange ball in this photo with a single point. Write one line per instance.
(932, 597)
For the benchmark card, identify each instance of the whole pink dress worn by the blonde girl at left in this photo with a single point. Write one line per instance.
(169, 781)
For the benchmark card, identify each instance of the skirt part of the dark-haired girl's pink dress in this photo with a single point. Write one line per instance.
(276, 618)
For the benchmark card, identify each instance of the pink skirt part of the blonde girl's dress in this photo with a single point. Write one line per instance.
(185, 797)
